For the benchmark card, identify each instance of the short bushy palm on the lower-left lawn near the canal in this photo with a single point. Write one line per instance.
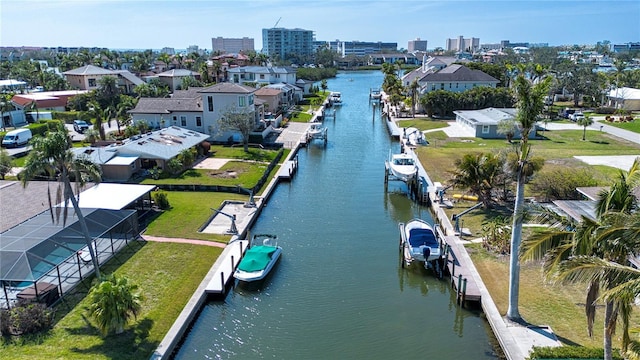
(113, 302)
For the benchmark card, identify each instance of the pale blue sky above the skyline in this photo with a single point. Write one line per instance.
(151, 24)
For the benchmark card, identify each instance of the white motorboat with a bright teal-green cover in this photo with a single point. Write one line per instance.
(258, 260)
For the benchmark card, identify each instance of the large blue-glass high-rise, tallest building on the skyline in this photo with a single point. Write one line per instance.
(281, 42)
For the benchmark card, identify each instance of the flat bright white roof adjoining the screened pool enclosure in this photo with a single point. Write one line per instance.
(111, 196)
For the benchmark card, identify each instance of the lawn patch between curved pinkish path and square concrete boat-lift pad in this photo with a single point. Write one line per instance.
(189, 211)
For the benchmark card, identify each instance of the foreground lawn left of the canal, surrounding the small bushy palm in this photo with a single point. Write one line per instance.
(167, 274)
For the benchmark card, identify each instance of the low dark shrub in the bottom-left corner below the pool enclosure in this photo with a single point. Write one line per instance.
(25, 318)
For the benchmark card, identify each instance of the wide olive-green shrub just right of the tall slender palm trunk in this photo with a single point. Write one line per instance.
(561, 184)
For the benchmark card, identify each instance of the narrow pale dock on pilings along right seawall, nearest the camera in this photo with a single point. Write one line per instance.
(459, 266)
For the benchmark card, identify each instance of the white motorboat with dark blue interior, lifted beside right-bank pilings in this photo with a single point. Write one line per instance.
(420, 242)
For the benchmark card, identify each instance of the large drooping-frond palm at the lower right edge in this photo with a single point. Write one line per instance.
(595, 251)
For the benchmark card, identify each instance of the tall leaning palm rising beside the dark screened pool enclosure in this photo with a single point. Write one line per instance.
(51, 155)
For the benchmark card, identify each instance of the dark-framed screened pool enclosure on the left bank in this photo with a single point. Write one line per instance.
(42, 260)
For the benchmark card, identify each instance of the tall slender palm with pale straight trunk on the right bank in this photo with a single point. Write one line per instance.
(530, 104)
